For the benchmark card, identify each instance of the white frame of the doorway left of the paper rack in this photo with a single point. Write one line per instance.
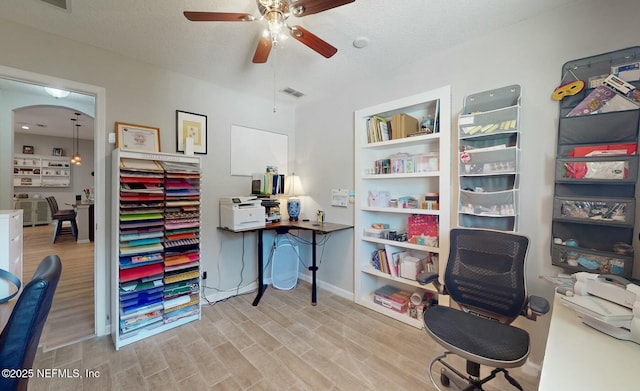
(101, 274)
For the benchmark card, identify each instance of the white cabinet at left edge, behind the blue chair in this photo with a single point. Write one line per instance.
(10, 245)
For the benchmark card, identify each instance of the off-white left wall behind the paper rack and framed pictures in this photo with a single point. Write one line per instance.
(142, 94)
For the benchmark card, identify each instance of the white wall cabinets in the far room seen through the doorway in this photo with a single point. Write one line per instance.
(41, 171)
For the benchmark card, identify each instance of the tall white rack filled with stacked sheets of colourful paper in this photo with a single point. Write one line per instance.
(156, 238)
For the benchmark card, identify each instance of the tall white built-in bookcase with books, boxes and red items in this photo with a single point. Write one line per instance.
(403, 194)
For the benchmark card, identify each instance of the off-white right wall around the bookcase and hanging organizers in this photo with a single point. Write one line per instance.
(530, 53)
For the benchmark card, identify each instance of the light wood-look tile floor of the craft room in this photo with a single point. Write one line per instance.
(282, 344)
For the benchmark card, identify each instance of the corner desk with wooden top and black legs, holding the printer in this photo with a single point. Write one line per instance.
(284, 227)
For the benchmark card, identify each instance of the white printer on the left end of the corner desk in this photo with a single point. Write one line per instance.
(238, 213)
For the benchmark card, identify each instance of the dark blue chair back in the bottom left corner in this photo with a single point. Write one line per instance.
(20, 337)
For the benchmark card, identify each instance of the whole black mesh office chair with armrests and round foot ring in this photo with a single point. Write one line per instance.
(485, 276)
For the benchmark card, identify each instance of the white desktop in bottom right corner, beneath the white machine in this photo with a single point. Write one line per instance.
(578, 357)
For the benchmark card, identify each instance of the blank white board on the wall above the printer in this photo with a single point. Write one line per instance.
(252, 150)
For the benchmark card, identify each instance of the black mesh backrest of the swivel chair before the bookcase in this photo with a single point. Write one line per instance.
(485, 272)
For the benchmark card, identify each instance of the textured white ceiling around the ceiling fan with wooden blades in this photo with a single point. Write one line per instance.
(156, 32)
